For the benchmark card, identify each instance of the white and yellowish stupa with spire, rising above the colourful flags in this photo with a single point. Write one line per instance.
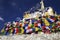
(41, 12)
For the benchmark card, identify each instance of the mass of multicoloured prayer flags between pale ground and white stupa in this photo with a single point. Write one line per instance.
(44, 24)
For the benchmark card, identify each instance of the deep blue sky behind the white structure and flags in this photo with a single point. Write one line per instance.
(10, 9)
